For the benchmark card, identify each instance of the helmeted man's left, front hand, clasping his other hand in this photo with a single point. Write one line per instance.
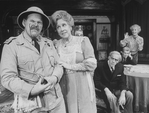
(40, 87)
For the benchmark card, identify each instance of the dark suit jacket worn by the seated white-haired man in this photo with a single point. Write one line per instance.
(113, 80)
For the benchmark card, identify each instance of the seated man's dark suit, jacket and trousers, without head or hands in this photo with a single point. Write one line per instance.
(115, 81)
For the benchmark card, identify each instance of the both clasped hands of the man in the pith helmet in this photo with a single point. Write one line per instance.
(40, 87)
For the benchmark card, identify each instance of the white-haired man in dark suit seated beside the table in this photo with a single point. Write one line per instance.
(110, 79)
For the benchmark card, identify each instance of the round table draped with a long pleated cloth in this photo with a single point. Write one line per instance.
(138, 81)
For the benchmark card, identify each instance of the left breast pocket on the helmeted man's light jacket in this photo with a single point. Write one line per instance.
(26, 63)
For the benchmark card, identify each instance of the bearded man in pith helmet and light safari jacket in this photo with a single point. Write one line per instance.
(29, 66)
